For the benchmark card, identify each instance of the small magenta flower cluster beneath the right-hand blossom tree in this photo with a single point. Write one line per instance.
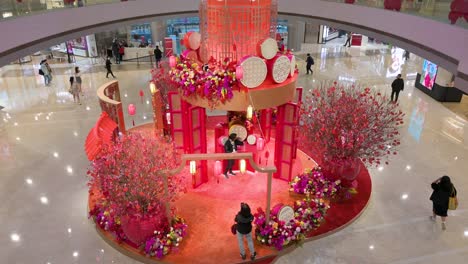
(313, 182)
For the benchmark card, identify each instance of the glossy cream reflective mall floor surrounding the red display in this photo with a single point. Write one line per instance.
(43, 214)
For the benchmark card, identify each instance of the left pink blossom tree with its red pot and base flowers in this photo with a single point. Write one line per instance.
(128, 180)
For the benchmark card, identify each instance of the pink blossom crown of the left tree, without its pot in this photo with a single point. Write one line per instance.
(130, 175)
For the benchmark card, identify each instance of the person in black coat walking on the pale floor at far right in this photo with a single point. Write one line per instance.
(443, 190)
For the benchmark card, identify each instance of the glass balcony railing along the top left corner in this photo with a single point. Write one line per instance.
(14, 8)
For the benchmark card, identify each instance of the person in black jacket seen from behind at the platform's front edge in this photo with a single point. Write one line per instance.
(244, 221)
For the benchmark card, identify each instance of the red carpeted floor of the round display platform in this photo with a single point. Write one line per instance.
(210, 209)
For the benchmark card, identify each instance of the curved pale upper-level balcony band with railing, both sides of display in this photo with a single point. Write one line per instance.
(421, 27)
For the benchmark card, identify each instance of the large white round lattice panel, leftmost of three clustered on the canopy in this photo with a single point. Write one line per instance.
(254, 71)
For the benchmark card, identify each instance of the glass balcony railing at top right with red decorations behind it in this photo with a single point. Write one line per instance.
(445, 11)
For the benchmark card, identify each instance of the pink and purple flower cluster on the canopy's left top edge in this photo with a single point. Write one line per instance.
(214, 82)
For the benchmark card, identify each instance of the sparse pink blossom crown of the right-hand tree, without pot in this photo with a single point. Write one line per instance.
(347, 124)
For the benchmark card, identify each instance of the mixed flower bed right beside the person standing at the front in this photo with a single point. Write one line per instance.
(308, 214)
